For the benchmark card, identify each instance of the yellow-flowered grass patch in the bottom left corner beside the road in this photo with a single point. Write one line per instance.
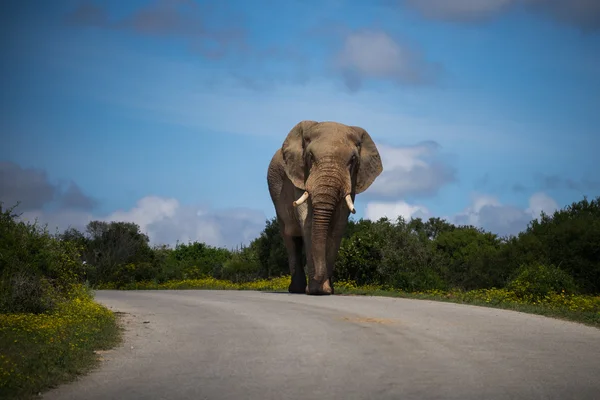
(40, 351)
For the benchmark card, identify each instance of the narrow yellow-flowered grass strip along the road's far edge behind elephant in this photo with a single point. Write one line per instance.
(577, 308)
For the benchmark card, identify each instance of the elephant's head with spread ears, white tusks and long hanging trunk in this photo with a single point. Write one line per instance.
(331, 162)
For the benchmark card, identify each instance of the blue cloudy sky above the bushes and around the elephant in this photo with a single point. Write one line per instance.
(166, 113)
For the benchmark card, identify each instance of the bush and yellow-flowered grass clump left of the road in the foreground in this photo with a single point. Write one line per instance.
(49, 324)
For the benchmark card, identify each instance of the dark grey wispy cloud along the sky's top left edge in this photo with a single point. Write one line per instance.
(169, 18)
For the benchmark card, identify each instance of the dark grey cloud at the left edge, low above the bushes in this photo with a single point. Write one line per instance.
(33, 190)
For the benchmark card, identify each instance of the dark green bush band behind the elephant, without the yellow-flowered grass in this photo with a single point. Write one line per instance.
(413, 255)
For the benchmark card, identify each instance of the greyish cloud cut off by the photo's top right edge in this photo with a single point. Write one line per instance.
(584, 14)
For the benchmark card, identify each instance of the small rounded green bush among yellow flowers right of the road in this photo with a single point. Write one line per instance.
(535, 281)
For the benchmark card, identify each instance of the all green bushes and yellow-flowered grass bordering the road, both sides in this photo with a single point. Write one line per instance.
(50, 325)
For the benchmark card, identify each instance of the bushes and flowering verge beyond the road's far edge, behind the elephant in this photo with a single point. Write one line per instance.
(551, 268)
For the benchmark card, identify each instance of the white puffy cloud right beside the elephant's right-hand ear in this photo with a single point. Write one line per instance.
(411, 171)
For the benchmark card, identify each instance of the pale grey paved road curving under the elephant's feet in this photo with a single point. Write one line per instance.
(252, 345)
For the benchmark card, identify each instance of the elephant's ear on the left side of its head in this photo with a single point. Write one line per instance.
(293, 153)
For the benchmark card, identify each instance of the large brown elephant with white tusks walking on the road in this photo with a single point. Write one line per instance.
(313, 180)
